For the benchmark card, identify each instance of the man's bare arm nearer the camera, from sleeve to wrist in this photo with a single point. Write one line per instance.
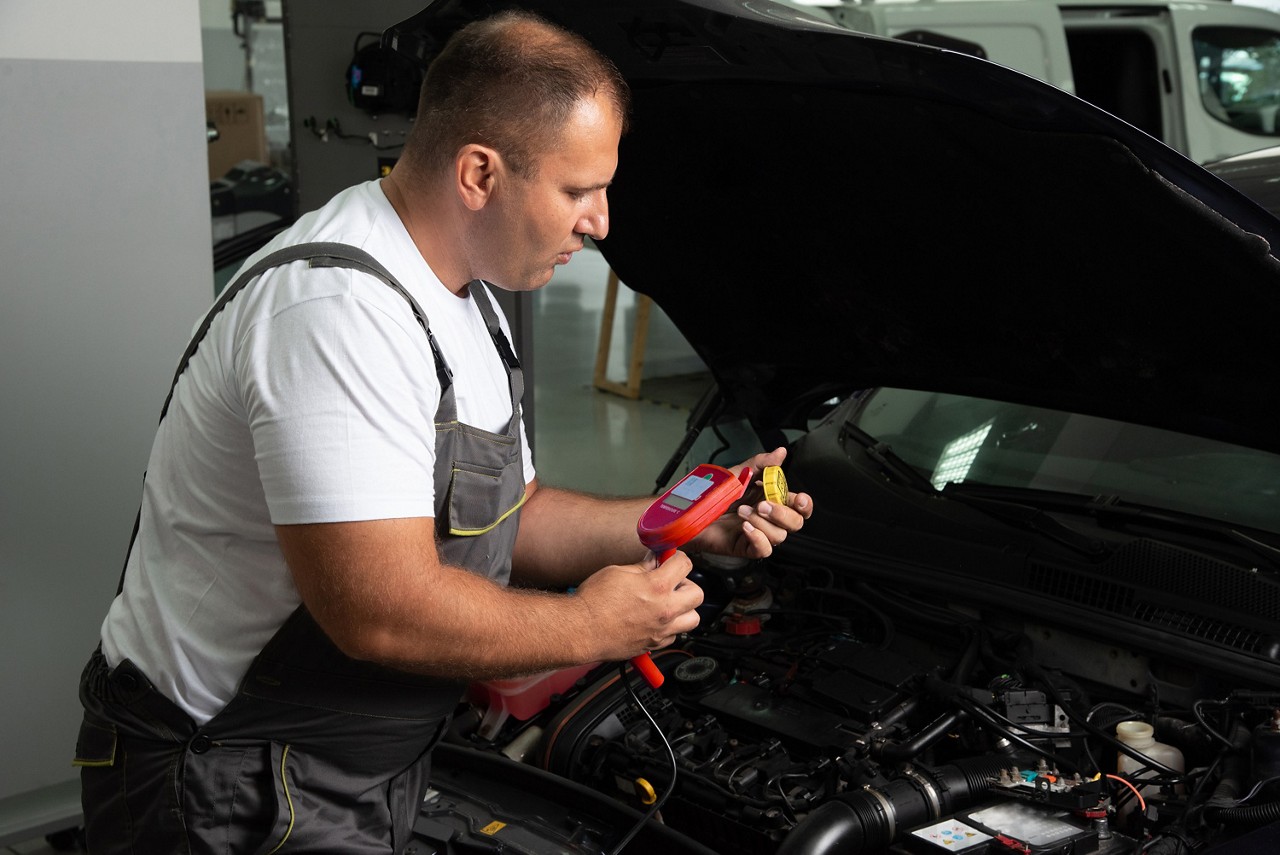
(381, 593)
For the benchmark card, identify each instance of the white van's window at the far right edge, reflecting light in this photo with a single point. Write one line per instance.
(1240, 76)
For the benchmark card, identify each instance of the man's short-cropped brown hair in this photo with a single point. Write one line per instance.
(511, 83)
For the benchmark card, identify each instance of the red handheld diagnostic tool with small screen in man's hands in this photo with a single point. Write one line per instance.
(697, 501)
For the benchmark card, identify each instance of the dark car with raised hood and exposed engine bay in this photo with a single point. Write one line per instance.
(1025, 359)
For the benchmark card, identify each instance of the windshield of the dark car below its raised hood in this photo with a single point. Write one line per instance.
(957, 440)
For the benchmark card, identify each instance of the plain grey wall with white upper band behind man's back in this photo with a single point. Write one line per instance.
(104, 268)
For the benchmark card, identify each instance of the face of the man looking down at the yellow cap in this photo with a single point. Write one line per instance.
(540, 222)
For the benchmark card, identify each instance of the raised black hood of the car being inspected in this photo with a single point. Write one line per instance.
(821, 212)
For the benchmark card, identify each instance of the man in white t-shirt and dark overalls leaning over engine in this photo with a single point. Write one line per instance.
(341, 491)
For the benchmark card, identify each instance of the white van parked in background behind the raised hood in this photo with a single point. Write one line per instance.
(1203, 77)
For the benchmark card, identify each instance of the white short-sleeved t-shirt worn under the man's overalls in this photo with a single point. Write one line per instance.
(312, 400)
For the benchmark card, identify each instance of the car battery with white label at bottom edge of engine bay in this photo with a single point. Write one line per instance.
(1009, 830)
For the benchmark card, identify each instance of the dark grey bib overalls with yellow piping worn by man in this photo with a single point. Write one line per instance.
(317, 752)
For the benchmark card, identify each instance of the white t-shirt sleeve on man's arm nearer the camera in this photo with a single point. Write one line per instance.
(341, 394)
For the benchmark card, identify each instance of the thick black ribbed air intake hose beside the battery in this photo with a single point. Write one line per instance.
(868, 821)
